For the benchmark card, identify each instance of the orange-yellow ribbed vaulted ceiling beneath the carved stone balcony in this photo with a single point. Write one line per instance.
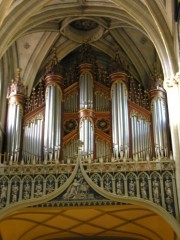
(124, 222)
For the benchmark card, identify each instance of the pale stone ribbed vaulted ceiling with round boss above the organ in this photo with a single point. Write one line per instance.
(141, 30)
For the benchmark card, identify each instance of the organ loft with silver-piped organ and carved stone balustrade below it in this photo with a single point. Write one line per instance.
(85, 134)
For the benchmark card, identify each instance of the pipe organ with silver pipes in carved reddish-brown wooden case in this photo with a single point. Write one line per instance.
(107, 111)
